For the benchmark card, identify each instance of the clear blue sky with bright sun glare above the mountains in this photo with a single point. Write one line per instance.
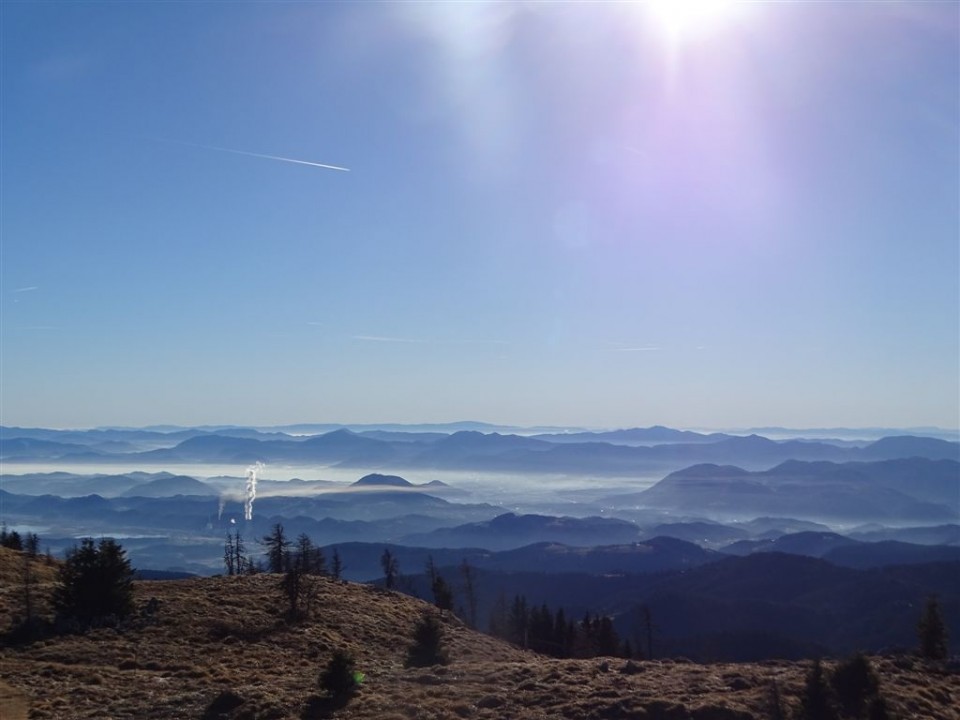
(571, 214)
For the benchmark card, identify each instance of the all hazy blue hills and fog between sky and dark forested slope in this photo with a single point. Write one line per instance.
(487, 493)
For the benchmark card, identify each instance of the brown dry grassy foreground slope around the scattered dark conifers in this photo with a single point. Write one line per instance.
(218, 648)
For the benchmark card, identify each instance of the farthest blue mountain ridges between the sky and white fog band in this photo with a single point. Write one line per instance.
(622, 452)
